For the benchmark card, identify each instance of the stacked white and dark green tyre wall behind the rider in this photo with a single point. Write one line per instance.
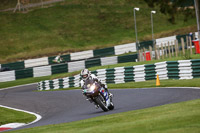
(182, 69)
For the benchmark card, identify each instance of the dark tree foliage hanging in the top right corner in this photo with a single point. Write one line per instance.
(172, 7)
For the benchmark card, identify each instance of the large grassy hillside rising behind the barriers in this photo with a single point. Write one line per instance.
(75, 25)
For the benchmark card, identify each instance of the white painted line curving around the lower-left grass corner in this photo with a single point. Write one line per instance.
(38, 117)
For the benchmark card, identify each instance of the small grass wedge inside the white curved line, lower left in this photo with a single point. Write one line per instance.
(12, 116)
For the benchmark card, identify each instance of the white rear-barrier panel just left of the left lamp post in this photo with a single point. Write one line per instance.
(125, 48)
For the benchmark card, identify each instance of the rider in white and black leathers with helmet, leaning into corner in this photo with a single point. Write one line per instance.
(86, 74)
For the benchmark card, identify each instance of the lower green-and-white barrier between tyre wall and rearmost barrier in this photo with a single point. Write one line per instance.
(65, 67)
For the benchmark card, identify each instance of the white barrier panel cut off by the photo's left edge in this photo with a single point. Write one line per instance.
(7, 76)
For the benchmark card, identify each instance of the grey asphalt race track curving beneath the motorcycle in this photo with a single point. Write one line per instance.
(66, 106)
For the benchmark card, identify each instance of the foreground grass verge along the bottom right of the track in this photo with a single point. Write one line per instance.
(173, 118)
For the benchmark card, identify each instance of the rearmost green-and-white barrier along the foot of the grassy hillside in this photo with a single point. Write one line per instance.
(116, 50)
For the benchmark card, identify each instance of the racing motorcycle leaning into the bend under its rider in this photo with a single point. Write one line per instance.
(97, 94)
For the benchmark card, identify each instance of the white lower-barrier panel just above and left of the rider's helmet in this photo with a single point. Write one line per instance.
(75, 66)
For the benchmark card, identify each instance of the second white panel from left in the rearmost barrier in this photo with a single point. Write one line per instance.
(82, 55)
